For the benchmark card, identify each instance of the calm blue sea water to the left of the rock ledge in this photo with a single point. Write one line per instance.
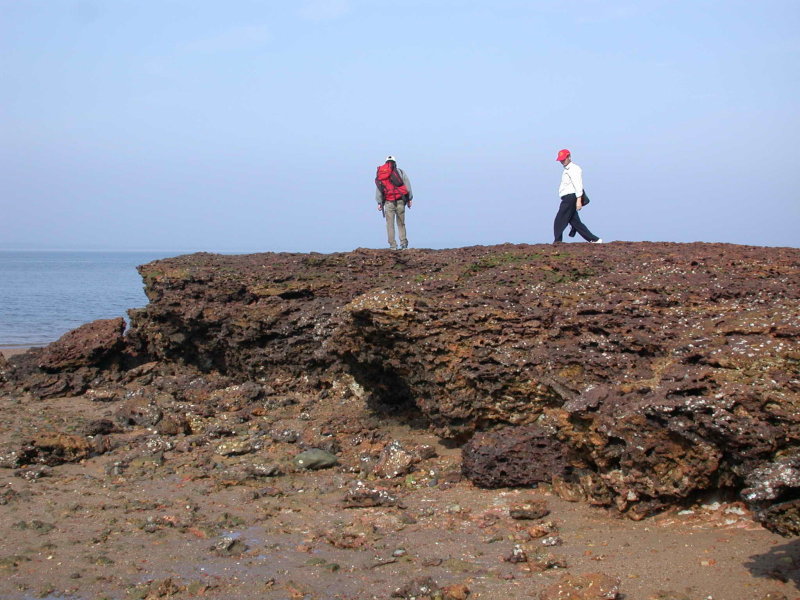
(45, 294)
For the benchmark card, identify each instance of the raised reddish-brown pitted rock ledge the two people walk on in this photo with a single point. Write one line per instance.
(629, 375)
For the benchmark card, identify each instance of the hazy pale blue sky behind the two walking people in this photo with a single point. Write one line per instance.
(257, 125)
